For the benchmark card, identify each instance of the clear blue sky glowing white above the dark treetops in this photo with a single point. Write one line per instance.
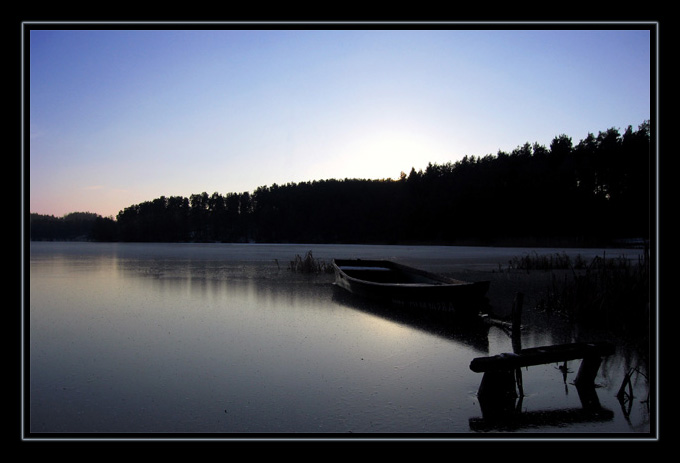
(120, 117)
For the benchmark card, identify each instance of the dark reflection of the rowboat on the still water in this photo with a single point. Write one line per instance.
(470, 331)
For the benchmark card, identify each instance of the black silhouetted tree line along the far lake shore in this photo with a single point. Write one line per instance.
(584, 194)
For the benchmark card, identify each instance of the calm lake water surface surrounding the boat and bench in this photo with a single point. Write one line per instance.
(222, 340)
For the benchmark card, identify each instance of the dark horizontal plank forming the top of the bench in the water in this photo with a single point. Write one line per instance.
(540, 356)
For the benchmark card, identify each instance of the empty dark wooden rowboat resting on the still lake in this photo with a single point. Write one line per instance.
(389, 281)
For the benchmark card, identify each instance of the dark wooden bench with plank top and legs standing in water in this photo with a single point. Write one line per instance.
(499, 369)
